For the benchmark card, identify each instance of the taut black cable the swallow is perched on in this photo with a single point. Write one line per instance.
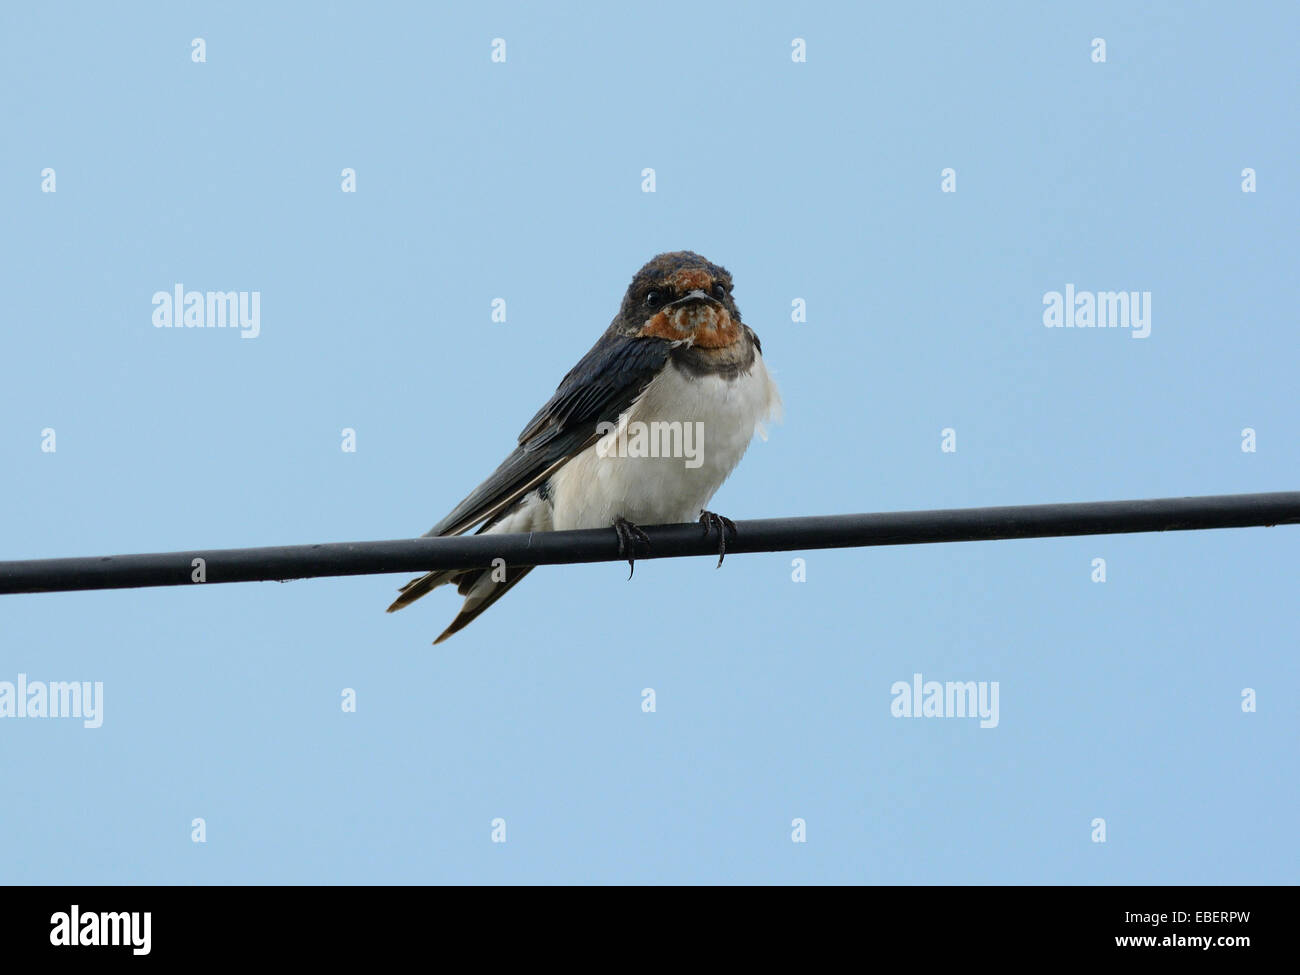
(666, 541)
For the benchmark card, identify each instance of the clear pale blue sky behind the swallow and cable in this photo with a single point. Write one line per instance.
(523, 181)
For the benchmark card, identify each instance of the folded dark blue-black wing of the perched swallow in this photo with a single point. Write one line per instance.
(599, 389)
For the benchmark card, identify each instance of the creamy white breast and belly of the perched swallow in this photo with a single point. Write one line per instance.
(609, 480)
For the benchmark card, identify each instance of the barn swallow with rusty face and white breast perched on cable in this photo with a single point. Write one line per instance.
(677, 353)
